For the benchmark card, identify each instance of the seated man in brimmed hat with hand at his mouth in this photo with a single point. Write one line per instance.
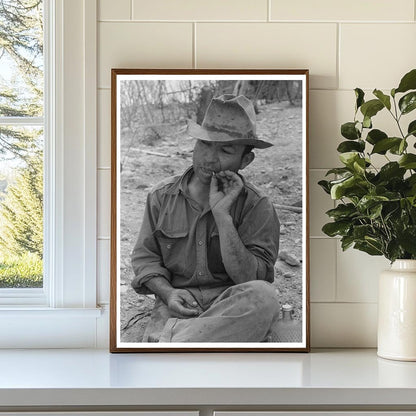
(209, 239)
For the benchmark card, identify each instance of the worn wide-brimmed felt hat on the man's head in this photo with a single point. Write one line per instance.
(229, 118)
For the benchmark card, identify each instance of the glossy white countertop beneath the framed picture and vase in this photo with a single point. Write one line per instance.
(96, 377)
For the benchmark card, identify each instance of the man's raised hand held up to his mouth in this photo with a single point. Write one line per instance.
(222, 201)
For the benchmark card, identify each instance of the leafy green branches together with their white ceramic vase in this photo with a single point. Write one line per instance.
(376, 209)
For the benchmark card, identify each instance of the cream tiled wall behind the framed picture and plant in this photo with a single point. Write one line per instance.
(345, 44)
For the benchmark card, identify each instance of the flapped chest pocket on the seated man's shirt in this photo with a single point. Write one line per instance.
(172, 245)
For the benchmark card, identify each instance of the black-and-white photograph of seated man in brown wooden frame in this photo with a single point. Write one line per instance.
(209, 211)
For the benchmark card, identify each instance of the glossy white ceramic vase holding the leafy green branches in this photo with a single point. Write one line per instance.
(397, 312)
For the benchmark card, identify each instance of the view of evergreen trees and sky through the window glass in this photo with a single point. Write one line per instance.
(21, 143)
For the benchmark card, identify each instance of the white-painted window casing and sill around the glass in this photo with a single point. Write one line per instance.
(63, 312)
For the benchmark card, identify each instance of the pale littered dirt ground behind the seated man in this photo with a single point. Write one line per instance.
(276, 171)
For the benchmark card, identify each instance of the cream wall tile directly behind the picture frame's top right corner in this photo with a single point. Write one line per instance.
(271, 45)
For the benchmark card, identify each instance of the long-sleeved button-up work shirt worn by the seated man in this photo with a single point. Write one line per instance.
(179, 240)
